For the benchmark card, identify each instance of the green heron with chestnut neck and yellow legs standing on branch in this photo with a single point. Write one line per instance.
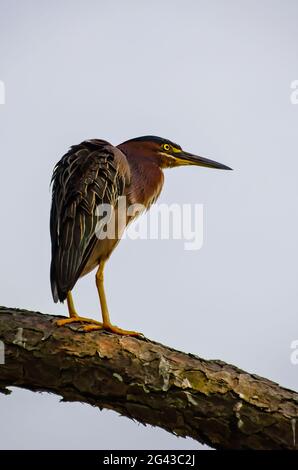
(93, 175)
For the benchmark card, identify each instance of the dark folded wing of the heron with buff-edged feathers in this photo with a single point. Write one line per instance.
(91, 173)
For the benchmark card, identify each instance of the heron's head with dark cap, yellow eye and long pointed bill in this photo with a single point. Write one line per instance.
(166, 154)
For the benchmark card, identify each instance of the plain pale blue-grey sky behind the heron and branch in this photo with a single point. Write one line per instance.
(213, 76)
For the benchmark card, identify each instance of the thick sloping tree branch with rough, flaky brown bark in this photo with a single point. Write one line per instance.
(210, 401)
